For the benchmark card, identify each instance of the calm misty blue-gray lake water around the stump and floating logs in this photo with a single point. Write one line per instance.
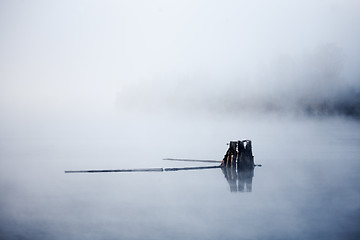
(307, 187)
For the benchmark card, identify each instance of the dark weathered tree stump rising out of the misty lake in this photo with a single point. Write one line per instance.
(239, 154)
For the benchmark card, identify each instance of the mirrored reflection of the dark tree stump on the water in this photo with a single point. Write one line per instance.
(240, 180)
